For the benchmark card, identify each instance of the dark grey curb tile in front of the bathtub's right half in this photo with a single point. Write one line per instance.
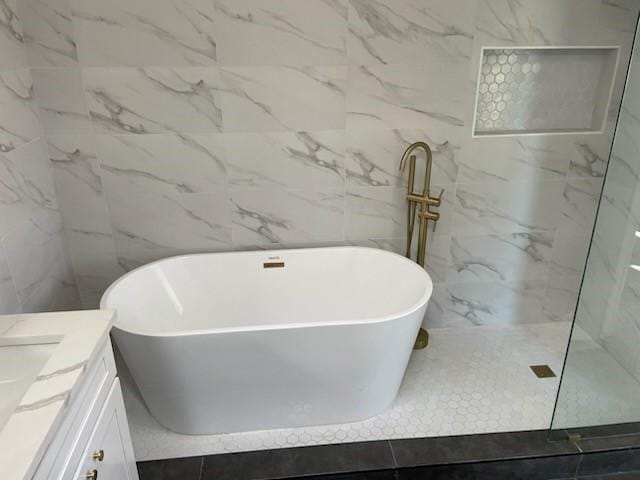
(294, 462)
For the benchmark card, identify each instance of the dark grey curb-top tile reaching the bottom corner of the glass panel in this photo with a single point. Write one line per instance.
(474, 448)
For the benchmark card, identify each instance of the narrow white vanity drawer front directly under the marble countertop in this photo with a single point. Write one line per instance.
(66, 447)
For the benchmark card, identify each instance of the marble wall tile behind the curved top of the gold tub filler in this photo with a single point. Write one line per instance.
(373, 156)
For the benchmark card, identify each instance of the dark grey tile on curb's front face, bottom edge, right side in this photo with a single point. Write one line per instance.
(547, 468)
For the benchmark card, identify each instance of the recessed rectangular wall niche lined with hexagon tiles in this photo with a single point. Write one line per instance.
(542, 90)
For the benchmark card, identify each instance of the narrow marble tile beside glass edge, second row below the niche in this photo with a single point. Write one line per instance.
(579, 206)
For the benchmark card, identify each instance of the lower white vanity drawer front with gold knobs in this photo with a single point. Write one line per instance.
(109, 453)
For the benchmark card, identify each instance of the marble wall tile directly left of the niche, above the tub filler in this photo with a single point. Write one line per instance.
(407, 96)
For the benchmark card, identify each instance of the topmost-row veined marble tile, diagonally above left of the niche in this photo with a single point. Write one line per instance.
(410, 31)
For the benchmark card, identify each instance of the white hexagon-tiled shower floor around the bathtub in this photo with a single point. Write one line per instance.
(469, 380)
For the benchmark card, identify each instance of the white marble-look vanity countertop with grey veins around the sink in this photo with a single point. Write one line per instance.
(79, 336)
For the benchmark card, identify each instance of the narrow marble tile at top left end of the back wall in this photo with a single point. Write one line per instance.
(48, 32)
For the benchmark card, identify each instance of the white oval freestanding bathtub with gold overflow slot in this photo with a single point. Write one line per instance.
(229, 342)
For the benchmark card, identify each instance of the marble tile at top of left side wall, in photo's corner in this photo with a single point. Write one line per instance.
(12, 50)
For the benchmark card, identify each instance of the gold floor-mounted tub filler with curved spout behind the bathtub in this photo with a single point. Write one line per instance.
(425, 201)
